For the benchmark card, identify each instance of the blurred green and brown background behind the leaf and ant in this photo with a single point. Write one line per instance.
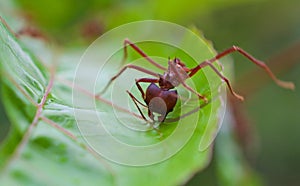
(268, 29)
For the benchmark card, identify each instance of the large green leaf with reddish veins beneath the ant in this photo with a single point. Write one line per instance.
(45, 145)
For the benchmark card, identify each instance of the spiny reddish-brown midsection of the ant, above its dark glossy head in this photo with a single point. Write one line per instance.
(174, 76)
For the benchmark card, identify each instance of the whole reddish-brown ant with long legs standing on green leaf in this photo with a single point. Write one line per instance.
(162, 98)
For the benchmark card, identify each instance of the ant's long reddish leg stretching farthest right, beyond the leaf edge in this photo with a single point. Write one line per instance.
(259, 63)
